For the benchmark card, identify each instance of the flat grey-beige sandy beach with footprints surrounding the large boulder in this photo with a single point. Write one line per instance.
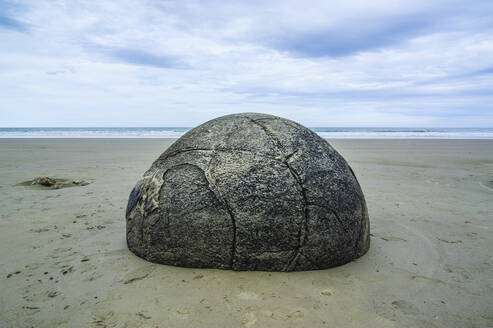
(64, 260)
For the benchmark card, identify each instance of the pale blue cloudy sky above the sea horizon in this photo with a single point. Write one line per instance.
(180, 63)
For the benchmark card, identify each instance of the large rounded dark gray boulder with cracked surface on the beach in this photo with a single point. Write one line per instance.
(249, 192)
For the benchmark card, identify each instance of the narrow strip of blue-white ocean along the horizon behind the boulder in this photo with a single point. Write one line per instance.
(176, 132)
